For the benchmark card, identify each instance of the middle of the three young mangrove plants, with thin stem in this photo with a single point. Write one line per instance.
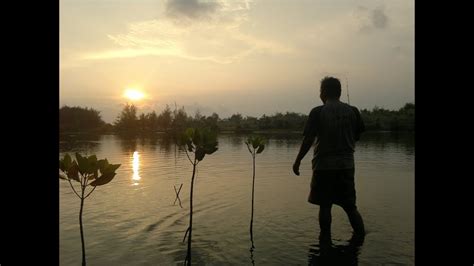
(200, 142)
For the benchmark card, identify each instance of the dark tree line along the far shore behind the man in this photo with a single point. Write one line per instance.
(129, 121)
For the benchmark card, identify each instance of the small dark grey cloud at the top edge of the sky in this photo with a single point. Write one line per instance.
(191, 9)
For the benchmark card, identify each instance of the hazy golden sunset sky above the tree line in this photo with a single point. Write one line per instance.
(251, 57)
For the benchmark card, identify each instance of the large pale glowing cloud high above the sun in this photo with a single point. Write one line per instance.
(218, 39)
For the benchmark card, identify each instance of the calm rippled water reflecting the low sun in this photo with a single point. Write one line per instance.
(133, 221)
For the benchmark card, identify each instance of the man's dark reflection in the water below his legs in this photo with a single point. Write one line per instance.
(326, 253)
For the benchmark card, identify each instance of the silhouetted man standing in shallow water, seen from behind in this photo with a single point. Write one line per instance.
(336, 127)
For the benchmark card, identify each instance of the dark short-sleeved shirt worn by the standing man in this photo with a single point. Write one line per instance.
(336, 126)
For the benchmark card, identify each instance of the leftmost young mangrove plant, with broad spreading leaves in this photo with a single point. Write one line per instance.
(88, 172)
